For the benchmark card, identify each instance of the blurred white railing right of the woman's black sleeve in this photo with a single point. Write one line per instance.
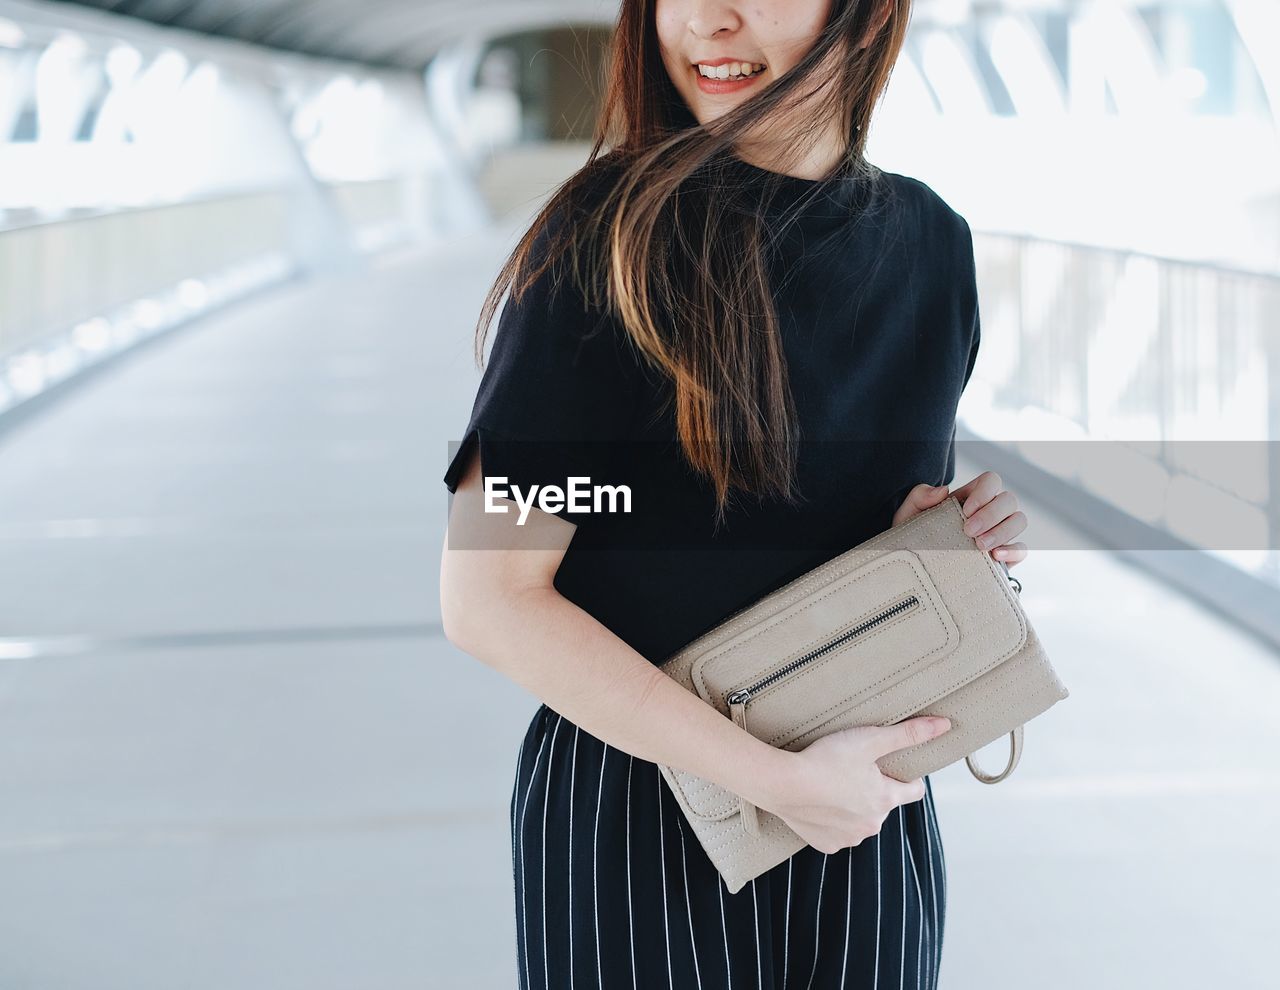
(1176, 364)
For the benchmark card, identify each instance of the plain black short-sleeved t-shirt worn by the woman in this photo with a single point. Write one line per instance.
(877, 305)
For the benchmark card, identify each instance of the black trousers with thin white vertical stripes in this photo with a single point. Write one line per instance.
(614, 891)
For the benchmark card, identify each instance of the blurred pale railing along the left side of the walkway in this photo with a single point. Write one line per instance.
(88, 285)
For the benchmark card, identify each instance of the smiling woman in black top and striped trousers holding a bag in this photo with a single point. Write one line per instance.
(766, 337)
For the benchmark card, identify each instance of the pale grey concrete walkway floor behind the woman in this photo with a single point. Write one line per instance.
(237, 754)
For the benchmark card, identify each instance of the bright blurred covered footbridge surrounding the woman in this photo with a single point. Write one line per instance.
(243, 253)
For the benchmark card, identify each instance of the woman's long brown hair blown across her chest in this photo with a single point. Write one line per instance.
(647, 249)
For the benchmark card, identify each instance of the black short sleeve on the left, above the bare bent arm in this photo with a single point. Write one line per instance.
(559, 391)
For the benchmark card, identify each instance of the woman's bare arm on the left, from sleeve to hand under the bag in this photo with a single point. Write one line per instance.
(500, 605)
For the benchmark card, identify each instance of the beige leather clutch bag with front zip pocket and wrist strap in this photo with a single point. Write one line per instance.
(917, 621)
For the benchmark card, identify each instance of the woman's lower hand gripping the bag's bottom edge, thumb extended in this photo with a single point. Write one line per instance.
(834, 795)
